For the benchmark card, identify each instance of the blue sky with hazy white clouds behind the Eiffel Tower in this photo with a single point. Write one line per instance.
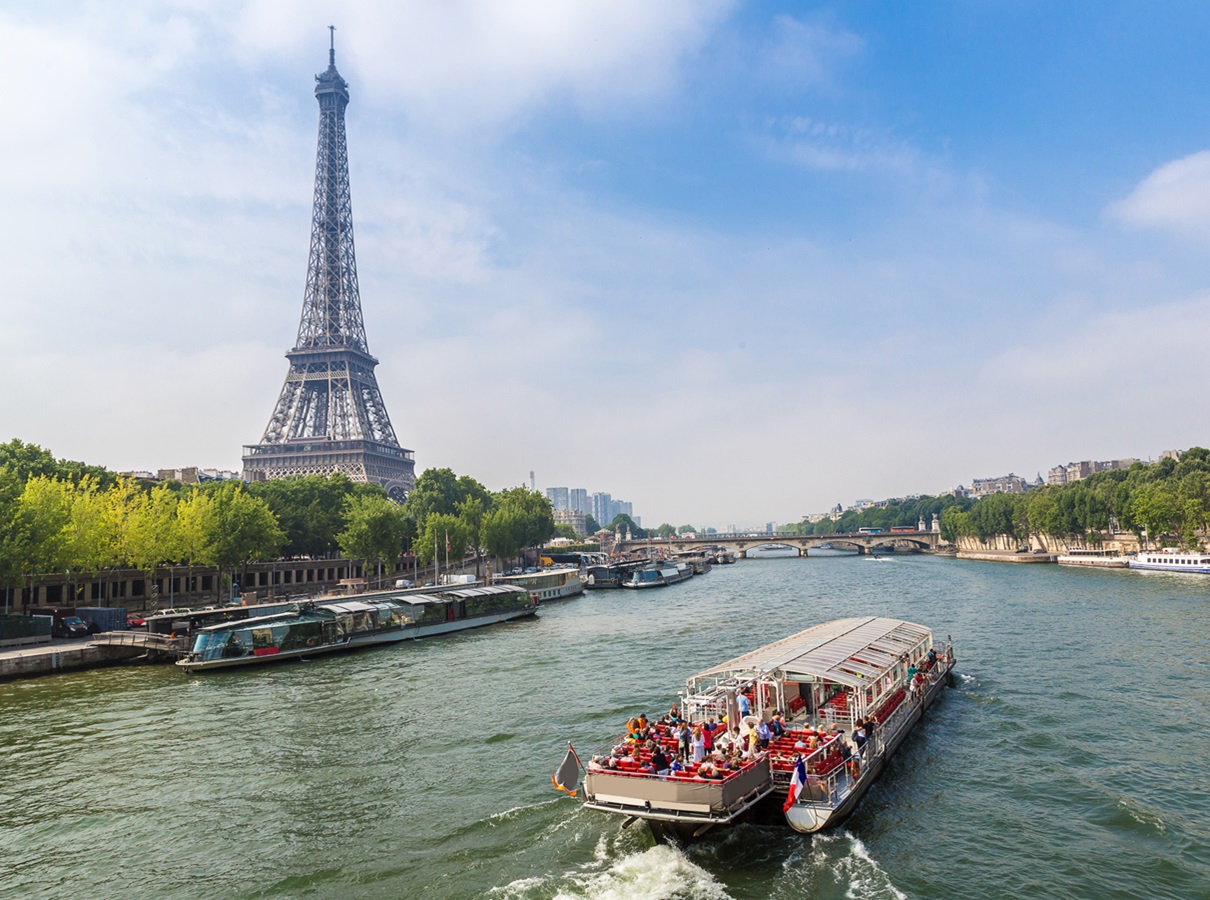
(734, 263)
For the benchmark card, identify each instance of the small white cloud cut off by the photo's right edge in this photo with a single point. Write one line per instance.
(1174, 198)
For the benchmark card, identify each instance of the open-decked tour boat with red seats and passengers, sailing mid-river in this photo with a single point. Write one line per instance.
(827, 679)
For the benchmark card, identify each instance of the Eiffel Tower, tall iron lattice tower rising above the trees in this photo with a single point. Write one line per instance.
(331, 417)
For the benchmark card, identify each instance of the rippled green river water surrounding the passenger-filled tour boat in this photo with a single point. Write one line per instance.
(1070, 760)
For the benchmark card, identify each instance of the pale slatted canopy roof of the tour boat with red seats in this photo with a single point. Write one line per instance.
(850, 651)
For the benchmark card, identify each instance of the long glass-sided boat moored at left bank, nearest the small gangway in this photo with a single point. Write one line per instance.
(330, 626)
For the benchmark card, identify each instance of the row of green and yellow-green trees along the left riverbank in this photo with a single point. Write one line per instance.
(64, 516)
